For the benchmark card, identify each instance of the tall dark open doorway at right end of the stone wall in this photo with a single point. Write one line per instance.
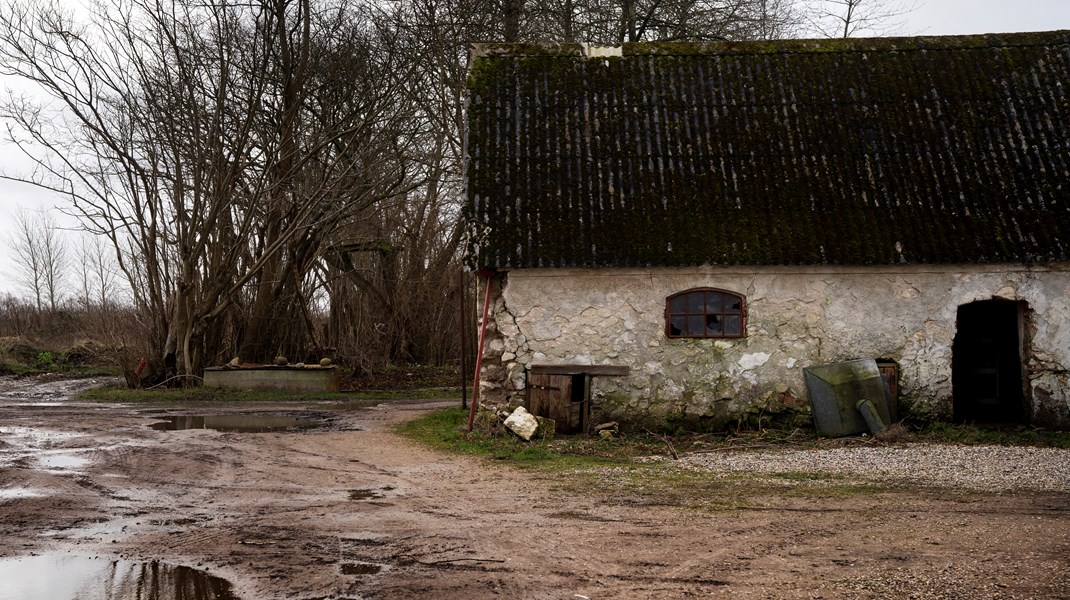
(987, 363)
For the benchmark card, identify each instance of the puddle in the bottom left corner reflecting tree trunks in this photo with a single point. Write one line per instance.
(51, 577)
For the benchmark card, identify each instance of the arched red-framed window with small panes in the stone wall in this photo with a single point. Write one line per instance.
(706, 314)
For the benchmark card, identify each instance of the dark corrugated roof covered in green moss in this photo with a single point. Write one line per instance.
(912, 150)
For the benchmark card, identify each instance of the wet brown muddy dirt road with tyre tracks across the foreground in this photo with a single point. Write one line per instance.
(348, 510)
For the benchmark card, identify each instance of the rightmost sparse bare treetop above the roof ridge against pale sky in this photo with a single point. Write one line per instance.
(850, 19)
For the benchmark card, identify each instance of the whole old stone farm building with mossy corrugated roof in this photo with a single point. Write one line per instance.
(677, 230)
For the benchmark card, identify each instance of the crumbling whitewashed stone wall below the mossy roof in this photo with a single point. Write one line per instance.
(798, 317)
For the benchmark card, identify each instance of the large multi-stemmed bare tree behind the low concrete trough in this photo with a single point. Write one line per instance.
(202, 142)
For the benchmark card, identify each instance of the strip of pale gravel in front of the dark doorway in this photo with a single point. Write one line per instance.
(979, 468)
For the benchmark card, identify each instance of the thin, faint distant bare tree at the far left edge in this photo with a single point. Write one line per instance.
(41, 258)
